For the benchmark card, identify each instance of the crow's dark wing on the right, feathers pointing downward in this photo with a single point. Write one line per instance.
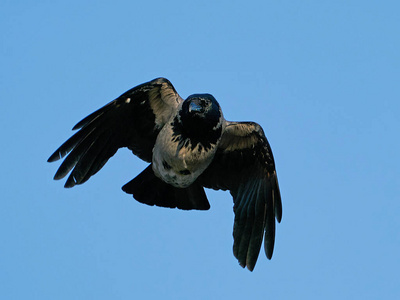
(244, 164)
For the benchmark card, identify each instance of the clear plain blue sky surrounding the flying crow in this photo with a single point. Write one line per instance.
(321, 77)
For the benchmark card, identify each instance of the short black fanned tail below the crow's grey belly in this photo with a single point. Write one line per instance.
(149, 189)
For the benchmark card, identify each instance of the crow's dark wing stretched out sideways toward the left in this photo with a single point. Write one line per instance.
(132, 120)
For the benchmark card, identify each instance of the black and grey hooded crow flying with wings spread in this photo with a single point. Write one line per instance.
(189, 146)
